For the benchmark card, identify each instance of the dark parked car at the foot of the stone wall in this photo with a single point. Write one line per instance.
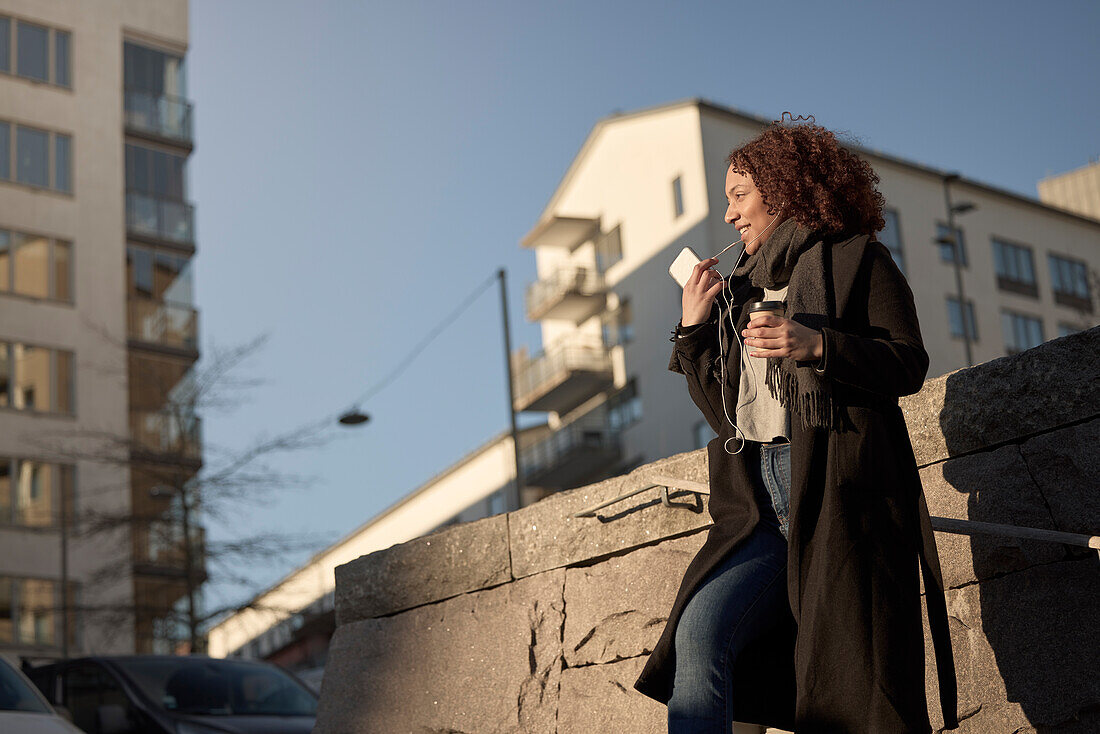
(178, 695)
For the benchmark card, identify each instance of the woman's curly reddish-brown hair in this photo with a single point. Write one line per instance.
(802, 169)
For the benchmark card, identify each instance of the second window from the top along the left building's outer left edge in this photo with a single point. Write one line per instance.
(42, 159)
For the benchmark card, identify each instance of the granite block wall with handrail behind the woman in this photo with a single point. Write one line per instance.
(537, 621)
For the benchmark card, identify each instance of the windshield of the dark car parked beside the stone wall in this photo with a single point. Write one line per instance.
(221, 688)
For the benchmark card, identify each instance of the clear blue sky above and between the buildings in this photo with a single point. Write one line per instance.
(360, 168)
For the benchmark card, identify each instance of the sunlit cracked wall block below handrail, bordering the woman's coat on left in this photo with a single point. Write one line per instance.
(618, 608)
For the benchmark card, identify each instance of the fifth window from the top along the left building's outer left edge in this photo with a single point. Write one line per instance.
(31, 492)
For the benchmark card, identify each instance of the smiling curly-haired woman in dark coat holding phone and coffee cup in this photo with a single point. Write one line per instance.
(802, 611)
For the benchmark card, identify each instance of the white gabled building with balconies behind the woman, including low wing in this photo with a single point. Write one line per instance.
(642, 188)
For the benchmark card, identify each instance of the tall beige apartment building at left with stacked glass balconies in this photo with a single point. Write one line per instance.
(97, 325)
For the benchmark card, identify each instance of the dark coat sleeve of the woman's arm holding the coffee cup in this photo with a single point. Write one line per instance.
(890, 359)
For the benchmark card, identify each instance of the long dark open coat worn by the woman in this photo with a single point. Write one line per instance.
(851, 655)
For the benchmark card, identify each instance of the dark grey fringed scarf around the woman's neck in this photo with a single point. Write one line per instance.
(796, 256)
